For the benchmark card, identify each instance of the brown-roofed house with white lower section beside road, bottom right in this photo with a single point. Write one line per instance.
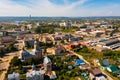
(96, 74)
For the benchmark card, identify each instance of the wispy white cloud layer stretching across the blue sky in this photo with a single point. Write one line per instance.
(47, 8)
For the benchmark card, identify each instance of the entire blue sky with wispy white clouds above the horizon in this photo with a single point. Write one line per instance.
(66, 8)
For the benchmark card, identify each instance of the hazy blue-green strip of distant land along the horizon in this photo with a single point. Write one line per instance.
(25, 18)
